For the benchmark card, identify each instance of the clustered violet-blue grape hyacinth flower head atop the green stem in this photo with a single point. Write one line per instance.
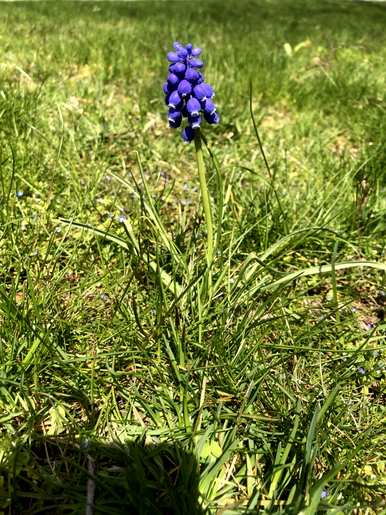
(187, 95)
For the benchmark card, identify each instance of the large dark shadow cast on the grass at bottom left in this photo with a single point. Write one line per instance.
(57, 475)
